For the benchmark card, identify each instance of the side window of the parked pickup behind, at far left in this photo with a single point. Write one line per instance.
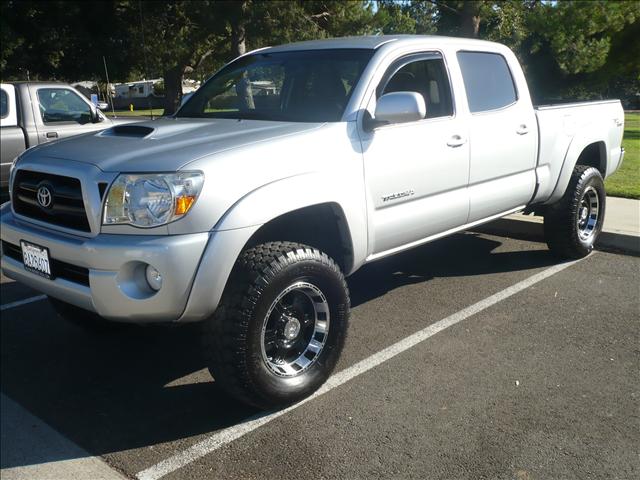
(60, 105)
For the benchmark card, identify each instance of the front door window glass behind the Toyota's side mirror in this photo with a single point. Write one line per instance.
(428, 77)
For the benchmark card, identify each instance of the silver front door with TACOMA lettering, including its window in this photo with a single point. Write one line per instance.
(416, 173)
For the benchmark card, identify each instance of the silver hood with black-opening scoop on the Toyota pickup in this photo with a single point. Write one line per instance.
(166, 144)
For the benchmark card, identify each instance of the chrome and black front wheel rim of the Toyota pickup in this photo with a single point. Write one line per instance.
(295, 329)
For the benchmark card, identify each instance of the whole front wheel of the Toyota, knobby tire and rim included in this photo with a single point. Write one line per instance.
(281, 325)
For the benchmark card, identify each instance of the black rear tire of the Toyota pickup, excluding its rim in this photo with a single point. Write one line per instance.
(561, 230)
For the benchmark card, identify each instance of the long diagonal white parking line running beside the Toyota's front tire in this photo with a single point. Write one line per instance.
(230, 434)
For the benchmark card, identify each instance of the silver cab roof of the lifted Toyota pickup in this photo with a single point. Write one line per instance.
(375, 41)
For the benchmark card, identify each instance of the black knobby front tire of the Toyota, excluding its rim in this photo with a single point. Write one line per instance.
(233, 336)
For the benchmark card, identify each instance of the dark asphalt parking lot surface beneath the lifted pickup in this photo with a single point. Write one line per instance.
(540, 382)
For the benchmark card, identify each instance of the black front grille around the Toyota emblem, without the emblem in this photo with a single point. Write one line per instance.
(67, 207)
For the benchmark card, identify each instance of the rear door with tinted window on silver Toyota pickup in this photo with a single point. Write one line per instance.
(503, 136)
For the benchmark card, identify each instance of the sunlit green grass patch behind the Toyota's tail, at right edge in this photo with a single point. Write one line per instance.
(626, 181)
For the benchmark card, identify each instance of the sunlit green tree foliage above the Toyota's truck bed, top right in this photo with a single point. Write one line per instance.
(577, 49)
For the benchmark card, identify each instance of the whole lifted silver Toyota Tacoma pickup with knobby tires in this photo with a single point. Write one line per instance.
(289, 169)
